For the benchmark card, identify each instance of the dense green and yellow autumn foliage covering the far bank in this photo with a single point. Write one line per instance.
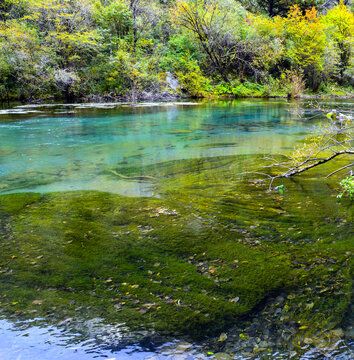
(94, 49)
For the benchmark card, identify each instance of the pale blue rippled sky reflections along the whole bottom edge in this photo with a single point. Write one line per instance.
(28, 341)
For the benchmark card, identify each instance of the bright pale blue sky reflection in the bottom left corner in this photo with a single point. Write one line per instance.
(26, 341)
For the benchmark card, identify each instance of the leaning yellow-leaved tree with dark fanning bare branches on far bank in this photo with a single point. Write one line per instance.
(223, 31)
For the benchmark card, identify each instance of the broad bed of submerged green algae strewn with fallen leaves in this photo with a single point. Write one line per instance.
(193, 262)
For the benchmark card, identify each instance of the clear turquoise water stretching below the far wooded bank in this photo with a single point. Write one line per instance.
(64, 151)
